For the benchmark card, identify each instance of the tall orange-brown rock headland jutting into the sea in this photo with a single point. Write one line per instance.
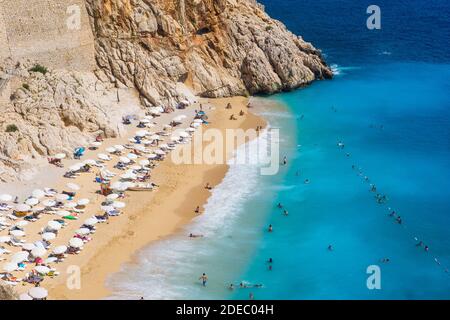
(216, 47)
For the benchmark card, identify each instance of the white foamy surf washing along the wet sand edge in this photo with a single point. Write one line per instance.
(169, 269)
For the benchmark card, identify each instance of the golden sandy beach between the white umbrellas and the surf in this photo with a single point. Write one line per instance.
(148, 216)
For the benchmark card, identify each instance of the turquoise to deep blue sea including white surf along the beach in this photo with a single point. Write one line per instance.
(390, 104)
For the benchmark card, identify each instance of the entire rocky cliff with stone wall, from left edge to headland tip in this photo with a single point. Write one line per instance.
(146, 48)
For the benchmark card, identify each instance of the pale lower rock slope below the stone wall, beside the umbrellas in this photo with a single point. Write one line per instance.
(52, 113)
